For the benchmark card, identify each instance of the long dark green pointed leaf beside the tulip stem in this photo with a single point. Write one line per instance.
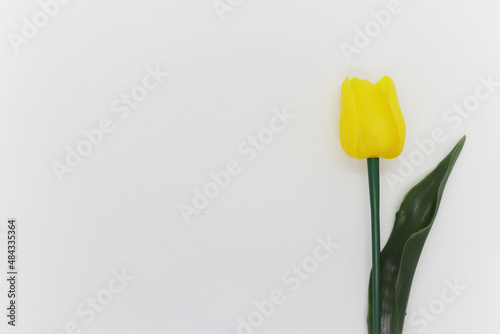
(399, 258)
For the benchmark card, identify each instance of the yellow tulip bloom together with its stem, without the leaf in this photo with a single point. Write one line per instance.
(372, 126)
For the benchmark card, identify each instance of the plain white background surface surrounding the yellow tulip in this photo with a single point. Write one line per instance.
(119, 208)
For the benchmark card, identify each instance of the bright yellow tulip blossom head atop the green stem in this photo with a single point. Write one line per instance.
(371, 122)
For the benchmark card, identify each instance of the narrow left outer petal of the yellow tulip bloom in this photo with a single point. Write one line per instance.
(349, 122)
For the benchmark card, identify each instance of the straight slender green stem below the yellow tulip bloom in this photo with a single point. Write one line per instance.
(374, 183)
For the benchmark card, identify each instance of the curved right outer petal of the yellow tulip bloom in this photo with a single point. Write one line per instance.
(388, 89)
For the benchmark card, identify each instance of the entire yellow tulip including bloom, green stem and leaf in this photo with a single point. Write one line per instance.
(372, 127)
